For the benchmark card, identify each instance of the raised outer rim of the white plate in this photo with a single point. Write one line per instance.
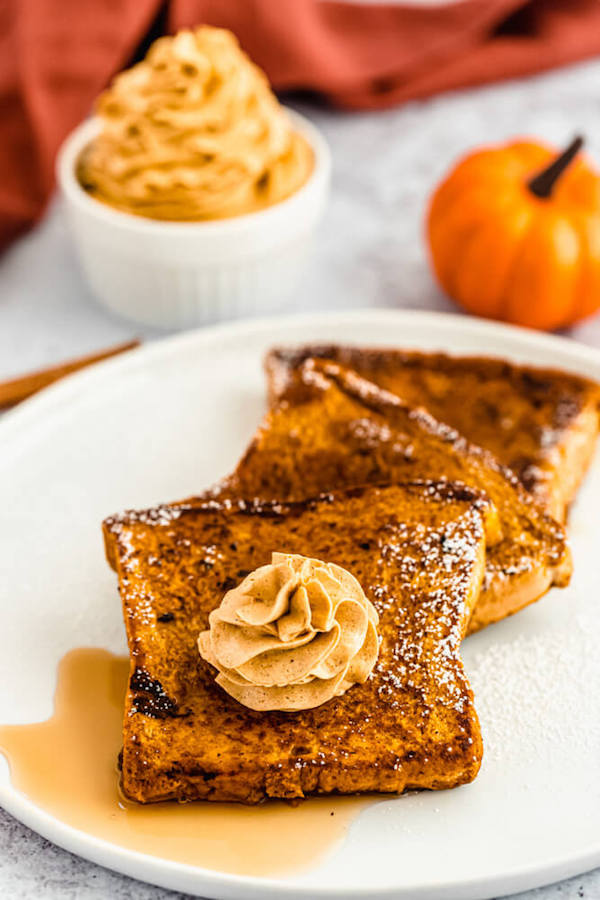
(197, 880)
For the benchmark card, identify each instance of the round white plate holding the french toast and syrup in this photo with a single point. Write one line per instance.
(170, 418)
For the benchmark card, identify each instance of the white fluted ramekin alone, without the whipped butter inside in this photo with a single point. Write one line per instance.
(179, 274)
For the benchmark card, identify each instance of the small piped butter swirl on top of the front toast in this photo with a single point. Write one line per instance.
(292, 635)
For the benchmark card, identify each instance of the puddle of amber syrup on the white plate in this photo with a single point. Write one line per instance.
(68, 767)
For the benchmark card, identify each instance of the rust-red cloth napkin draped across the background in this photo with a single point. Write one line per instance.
(56, 57)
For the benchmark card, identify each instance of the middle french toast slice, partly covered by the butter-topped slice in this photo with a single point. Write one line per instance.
(334, 429)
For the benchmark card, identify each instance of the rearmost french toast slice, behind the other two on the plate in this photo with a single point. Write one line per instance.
(541, 423)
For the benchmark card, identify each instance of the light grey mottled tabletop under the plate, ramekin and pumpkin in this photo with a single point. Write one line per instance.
(369, 253)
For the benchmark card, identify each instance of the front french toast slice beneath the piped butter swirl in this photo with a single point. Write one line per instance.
(418, 551)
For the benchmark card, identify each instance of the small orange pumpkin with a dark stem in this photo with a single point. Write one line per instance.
(514, 234)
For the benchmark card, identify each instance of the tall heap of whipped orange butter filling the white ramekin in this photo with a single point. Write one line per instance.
(193, 132)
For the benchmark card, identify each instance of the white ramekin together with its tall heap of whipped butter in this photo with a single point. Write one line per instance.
(193, 194)
